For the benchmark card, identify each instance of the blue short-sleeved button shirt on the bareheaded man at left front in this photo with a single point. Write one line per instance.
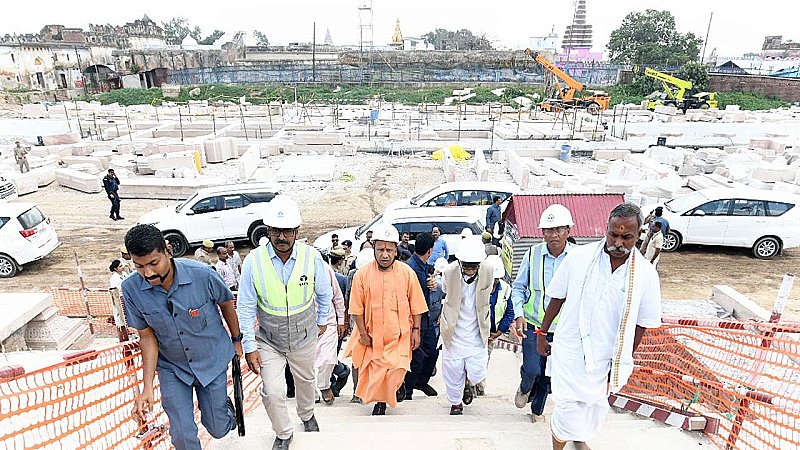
(192, 342)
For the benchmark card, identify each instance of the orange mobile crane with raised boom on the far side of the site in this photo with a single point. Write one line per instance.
(565, 97)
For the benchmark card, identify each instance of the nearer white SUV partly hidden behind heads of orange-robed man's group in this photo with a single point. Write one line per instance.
(450, 221)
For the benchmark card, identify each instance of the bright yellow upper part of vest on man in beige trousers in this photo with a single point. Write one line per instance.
(278, 299)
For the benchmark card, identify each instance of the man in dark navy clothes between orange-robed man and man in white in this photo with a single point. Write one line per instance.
(423, 359)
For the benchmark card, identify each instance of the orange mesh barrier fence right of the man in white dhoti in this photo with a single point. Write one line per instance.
(744, 377)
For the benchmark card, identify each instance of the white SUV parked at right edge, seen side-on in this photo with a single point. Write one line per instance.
(765, 221)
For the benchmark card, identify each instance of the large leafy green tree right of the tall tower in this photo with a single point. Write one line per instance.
(650, 38)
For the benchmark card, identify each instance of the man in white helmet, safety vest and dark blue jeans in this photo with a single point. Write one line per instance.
(530, 301)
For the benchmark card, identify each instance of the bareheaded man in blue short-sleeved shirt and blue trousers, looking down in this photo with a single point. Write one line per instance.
(175, 305)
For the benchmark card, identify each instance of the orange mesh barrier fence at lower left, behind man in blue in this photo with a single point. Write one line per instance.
(86, 402)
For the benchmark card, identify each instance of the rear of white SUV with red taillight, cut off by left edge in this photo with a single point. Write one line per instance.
(26, 235)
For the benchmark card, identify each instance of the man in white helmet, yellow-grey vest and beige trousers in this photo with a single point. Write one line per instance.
(279, 285)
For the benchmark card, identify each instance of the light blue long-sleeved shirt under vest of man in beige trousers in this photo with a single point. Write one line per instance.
(247, 300)
